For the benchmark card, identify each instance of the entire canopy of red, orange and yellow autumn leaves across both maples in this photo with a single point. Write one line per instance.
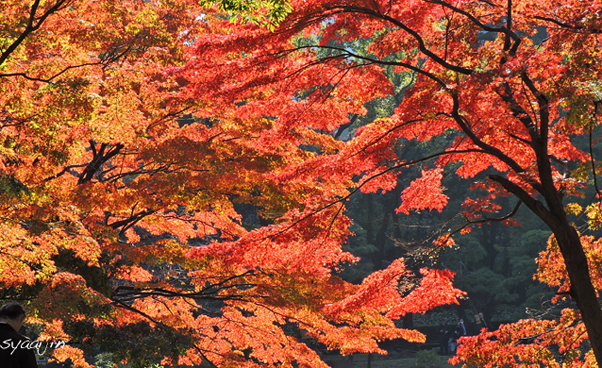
(135, 134)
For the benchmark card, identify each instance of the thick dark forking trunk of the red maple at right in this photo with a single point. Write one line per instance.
(552, 213)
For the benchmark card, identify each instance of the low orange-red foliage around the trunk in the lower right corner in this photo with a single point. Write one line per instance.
(557, 337)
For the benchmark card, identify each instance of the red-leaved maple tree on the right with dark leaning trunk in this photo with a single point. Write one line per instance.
(507, 83)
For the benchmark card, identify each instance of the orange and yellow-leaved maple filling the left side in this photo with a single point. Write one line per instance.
(121, 168)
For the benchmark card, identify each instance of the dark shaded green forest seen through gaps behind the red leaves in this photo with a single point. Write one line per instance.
(494, 263)
